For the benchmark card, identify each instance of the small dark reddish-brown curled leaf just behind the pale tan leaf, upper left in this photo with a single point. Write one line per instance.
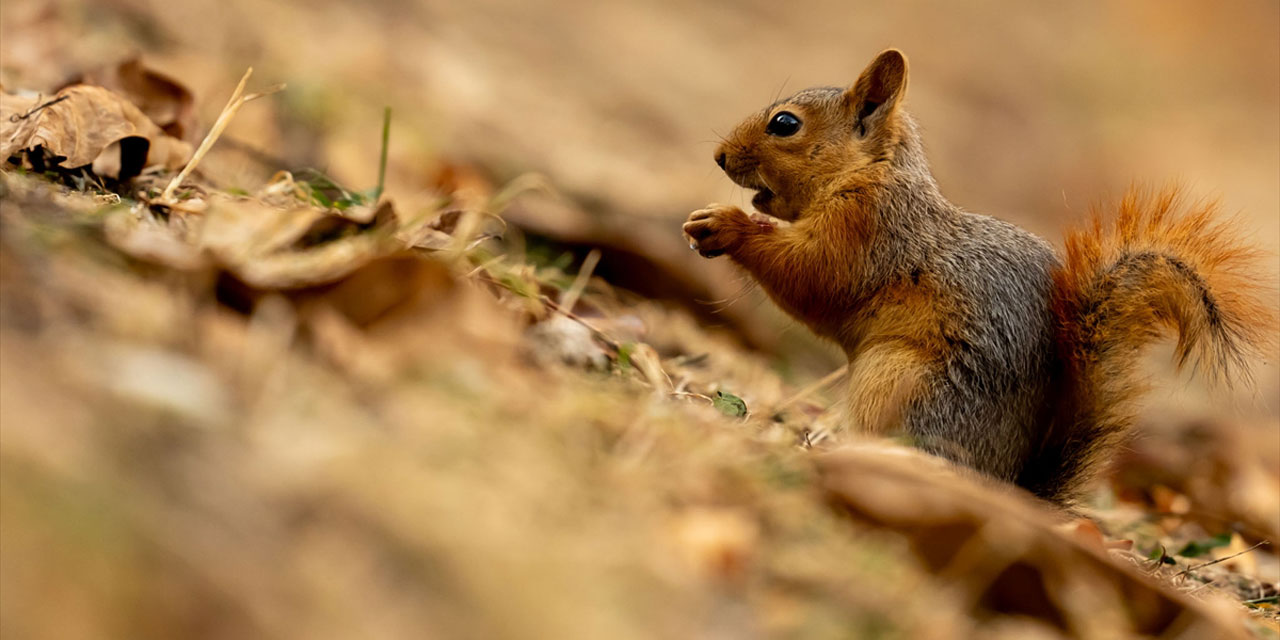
(164, 100)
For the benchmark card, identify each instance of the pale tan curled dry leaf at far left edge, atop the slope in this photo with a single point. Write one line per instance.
(85, 126)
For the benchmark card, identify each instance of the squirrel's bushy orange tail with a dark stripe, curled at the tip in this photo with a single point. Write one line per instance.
(1127, 280)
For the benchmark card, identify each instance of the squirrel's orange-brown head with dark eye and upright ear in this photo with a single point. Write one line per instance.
(819, 140)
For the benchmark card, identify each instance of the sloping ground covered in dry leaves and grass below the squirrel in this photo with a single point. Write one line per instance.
(317, 415)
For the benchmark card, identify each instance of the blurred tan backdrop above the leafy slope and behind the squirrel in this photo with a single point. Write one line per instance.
(1032, 113)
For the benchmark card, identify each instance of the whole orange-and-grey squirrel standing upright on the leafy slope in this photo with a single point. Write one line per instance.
(970, 335)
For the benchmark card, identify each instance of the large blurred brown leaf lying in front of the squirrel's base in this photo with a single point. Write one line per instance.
(1009, 554)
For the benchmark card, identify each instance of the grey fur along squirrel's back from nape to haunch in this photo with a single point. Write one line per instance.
(988, 397)
